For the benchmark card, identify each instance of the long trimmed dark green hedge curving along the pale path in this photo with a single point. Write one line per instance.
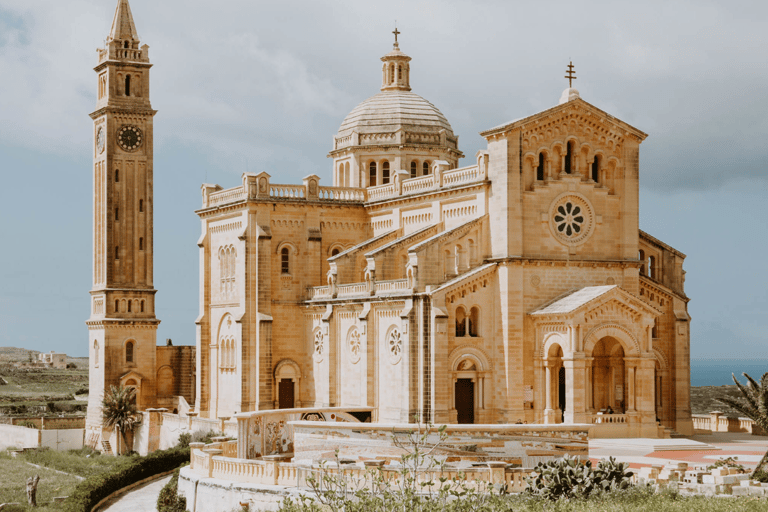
(93, 489)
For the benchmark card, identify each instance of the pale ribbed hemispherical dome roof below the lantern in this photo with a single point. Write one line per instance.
(389, 111)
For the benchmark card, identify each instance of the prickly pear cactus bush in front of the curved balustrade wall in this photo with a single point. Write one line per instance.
(569, 477)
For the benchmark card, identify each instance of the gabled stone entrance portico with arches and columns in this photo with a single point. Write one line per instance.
(596, 360)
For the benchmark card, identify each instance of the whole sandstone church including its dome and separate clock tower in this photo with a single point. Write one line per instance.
(518, 288)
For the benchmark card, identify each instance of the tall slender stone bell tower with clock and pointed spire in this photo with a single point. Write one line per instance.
(122, 326)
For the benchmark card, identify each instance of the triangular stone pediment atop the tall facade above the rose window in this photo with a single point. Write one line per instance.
(579, 113)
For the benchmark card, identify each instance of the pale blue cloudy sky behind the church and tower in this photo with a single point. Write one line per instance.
(244, 85)
